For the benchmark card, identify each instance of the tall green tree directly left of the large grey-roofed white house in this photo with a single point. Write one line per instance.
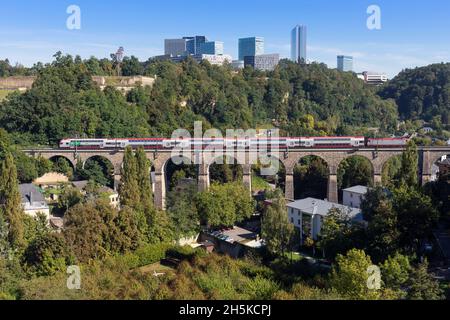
(277, 230)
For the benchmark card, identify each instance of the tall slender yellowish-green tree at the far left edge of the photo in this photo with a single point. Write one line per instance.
(10, 200)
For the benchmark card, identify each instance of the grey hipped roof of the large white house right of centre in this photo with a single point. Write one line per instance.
(321, 207)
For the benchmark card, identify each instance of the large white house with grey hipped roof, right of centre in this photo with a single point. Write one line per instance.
(308, 214)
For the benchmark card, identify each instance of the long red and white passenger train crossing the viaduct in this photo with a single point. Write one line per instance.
(239, 143)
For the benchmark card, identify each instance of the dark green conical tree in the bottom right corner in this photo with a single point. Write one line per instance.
(422, 286)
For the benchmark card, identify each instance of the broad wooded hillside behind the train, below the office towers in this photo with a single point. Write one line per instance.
(299, 99)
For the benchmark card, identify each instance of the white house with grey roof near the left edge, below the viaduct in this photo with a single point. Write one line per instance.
(33, 202)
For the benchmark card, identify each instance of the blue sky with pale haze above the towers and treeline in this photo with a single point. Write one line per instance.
(414, 32)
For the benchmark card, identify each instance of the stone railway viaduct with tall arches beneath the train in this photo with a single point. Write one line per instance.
(289, 159)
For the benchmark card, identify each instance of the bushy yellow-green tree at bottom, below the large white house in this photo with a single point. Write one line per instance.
(349, 276)
